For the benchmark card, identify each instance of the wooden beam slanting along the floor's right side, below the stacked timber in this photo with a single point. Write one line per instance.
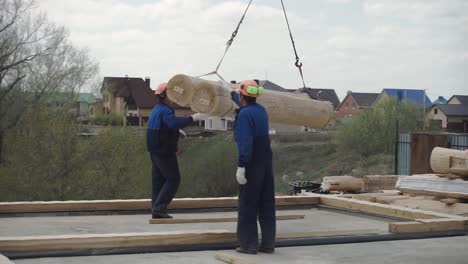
(379, 209)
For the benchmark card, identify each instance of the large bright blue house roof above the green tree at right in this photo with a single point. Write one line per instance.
(417, 96)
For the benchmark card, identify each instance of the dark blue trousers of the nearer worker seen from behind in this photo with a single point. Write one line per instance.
(257, 199)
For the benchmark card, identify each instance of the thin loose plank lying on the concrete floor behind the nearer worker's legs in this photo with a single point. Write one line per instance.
(215, 219)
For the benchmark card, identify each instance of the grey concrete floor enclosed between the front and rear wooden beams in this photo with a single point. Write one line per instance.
(316, 219)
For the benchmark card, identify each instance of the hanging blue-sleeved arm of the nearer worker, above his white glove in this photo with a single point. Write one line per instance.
(245, 136)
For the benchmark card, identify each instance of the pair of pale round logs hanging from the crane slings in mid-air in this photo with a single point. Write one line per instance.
(209, 97)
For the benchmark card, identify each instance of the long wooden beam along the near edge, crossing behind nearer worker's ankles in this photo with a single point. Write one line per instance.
(177, 238)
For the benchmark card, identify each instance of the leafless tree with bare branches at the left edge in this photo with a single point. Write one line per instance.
(36, 58)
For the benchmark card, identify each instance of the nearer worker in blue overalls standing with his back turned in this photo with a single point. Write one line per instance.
(254, 172)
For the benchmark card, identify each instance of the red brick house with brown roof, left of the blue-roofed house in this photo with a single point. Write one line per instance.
(354, 102)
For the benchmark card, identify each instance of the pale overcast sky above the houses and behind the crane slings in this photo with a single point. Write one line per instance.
(358, 45)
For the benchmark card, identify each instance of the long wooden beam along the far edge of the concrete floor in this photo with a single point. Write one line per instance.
(138, 204)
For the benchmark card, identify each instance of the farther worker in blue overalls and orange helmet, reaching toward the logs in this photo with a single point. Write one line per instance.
(161, 139)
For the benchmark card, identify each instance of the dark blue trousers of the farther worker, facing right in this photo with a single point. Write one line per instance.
(165, 180)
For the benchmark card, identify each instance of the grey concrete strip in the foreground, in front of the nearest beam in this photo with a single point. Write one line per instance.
(425, 251)
